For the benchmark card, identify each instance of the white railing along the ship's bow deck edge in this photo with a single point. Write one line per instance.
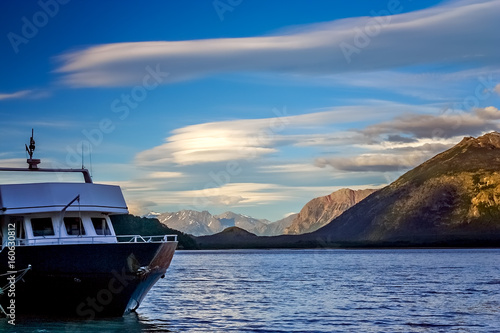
(95, 240)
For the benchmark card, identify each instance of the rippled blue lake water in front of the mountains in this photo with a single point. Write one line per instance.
(433, 290)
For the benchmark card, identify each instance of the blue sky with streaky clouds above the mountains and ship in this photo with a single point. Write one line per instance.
(248, 106)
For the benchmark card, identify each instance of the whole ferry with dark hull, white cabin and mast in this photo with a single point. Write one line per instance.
(60, 254)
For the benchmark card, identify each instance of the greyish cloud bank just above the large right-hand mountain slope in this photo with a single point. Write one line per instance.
(406, 141)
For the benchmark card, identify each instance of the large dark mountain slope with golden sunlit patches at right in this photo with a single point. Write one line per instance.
(453, 197)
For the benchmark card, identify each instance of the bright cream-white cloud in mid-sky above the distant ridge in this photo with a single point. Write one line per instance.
(244, 139)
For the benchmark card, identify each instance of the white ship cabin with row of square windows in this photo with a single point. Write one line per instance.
(51, 213)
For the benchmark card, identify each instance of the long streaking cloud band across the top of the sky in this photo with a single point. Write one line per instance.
(423, 37)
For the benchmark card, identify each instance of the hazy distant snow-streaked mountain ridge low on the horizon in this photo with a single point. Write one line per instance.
(203, 223)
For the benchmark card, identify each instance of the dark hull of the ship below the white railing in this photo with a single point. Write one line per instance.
(84, 280)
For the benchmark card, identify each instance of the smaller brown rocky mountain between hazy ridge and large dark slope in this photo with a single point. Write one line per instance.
(320, 211)
